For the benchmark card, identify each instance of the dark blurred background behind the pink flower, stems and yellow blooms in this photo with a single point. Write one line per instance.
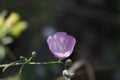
(94, 23)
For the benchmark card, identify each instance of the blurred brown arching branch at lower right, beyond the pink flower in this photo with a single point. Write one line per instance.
(90, 71)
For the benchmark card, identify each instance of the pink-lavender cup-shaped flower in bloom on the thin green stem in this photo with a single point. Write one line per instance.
(61, 44)
